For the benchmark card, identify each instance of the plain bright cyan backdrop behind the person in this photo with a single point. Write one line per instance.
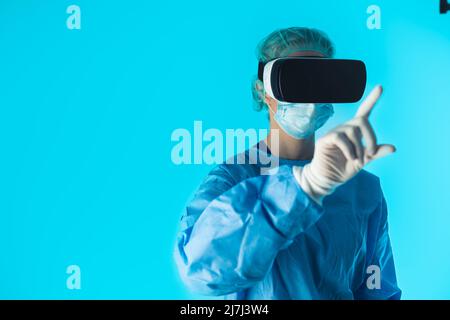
(86, 118)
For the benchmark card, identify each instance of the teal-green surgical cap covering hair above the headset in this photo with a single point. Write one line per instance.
(284, 42)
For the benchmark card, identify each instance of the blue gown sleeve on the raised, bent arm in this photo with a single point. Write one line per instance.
(231, 232)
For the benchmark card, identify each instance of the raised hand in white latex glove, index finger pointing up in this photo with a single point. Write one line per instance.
(340, 154)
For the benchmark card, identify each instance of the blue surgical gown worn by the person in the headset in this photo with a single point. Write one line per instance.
(246, 235)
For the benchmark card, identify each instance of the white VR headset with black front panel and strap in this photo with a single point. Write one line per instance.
(313, 80)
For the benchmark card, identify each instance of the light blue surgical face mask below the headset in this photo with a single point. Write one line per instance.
(301, 120)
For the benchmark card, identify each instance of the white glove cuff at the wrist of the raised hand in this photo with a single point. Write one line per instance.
(313, 185)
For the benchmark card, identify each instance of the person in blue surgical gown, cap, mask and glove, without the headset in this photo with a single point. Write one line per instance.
(316, 228)
